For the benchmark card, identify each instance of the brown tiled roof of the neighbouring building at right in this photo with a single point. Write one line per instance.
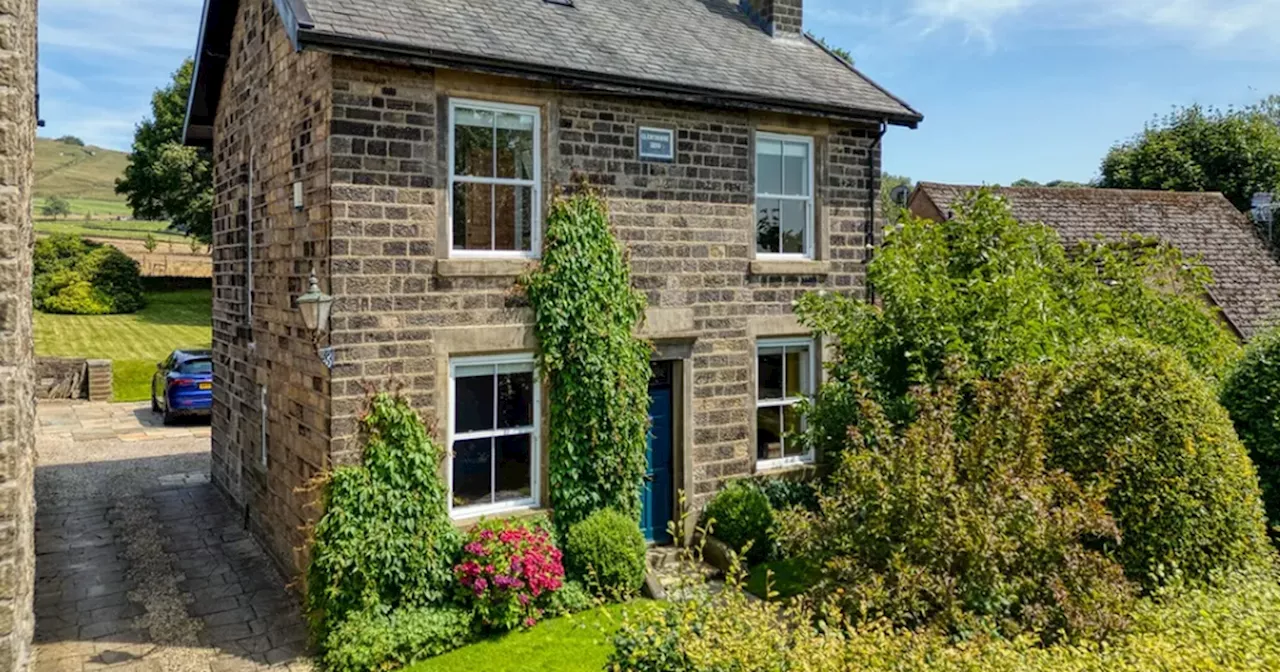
(1206, 226)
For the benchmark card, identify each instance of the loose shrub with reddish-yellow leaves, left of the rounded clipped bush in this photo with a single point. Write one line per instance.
(954, 523)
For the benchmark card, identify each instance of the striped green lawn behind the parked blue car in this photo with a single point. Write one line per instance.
(135, 344)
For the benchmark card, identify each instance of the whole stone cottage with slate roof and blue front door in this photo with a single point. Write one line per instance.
(406, 152)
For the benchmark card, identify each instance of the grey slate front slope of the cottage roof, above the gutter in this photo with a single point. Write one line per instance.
(698, 44)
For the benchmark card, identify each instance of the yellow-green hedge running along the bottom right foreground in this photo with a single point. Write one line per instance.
(1231, 629)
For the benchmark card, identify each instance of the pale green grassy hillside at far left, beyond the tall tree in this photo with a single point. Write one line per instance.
(86, 175)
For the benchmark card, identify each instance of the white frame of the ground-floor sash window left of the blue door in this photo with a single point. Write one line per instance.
(534, 432)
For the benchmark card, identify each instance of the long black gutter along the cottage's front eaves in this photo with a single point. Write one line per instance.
(623, 85)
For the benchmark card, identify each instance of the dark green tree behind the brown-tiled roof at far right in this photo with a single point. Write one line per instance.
(1203, 149)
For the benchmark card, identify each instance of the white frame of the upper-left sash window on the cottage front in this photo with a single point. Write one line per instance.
(536, 226)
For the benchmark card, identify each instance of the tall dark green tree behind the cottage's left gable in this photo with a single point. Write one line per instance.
(164, 179)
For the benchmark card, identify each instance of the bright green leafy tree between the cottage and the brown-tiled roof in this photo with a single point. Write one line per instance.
(996, 294)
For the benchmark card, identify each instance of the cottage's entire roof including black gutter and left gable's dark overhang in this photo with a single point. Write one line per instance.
(697, 51)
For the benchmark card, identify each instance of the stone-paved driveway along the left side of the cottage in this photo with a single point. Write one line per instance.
(141, 564)
